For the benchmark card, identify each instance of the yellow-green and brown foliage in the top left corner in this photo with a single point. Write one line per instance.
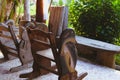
(8, 9)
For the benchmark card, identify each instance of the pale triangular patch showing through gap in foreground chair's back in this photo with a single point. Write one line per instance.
(47, 53)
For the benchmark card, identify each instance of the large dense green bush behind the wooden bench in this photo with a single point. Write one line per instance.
(97, 19)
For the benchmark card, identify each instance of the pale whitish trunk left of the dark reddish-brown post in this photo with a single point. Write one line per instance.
(27, 10)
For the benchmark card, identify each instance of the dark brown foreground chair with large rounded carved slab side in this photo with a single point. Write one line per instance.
(64, 55)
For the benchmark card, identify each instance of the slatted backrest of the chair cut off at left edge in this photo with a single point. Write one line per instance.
(8, 38)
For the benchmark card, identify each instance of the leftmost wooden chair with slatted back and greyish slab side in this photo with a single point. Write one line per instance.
(10, 45)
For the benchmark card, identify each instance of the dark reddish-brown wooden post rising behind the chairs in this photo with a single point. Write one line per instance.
(39, 11)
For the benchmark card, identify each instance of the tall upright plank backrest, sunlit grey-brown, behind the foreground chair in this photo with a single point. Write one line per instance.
(58, 19)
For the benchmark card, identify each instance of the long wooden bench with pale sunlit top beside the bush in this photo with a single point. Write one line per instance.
(104, 52)
